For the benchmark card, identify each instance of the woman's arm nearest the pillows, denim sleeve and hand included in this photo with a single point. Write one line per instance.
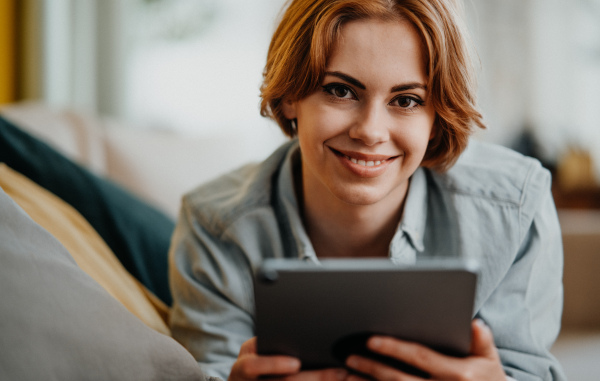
(211, 315)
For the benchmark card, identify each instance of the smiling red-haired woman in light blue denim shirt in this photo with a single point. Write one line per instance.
(379, 99)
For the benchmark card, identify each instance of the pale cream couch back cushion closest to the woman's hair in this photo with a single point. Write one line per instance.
(161, 166)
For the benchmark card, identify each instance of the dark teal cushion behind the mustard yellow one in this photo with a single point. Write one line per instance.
(137, 233)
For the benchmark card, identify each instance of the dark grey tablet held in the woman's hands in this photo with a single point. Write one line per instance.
(322, 313)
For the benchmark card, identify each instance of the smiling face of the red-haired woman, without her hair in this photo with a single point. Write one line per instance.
(365, 132)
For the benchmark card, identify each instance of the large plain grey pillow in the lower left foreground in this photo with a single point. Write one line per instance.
(57, 323)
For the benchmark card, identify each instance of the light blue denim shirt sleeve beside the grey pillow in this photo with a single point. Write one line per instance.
(212, 303)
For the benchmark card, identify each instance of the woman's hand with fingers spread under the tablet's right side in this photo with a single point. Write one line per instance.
(482, 364)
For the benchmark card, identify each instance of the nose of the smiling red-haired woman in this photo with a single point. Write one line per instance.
(371, 125)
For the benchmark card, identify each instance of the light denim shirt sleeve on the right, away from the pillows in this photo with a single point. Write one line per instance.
(524, 310)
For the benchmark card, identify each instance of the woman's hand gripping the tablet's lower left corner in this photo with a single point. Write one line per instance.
(251, 366)
